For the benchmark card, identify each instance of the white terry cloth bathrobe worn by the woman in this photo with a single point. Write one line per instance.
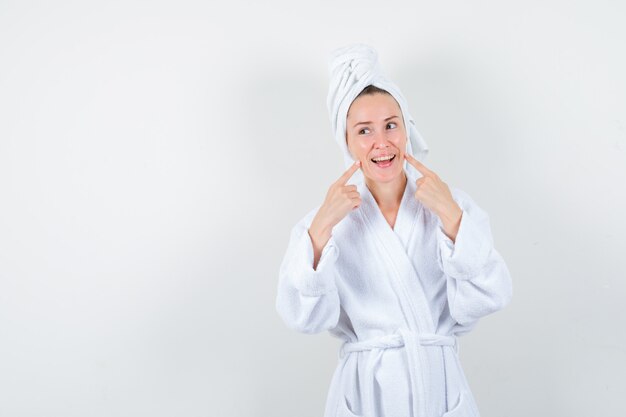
(398, 298)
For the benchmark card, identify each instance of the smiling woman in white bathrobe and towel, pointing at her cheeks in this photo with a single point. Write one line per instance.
(396, 265)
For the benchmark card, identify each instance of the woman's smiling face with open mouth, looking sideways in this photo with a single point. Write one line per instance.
(375, 133)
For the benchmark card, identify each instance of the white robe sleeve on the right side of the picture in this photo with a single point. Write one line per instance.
(478, 280)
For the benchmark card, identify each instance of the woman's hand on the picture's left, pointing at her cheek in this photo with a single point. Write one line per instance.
(340, 200)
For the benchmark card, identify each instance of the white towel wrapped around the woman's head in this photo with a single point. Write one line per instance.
(352, 68)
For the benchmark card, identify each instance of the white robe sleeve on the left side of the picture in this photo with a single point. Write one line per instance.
(307, 298)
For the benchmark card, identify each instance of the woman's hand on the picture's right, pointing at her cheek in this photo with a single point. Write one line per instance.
(435, 195)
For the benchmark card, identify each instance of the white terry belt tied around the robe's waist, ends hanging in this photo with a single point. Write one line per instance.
(410, 340)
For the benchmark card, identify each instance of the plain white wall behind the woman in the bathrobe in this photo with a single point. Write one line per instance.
(154, 156)
